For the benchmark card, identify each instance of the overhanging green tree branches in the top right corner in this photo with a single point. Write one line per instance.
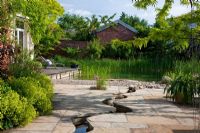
(172, 31)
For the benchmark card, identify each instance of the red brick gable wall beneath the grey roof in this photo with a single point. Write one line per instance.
(115, 32)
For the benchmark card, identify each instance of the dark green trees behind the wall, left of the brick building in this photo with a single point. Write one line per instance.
(79, 28)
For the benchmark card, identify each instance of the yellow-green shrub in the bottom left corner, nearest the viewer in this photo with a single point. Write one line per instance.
(14, 110)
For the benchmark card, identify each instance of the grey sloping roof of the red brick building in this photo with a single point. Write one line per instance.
(118, 22)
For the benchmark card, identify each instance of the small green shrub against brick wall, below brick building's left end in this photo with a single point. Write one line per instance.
(94, 49)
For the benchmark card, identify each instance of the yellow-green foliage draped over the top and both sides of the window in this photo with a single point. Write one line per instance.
(40, 13)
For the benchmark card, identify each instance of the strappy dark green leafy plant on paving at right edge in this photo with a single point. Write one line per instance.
(183, 87)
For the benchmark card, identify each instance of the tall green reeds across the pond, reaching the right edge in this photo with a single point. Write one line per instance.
(145, 69)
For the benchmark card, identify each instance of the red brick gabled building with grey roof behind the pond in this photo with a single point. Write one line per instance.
(119, 30)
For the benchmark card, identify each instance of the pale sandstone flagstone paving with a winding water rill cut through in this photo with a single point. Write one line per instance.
(152, 113)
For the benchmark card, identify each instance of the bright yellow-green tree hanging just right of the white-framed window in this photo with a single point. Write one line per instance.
(42, 21)
